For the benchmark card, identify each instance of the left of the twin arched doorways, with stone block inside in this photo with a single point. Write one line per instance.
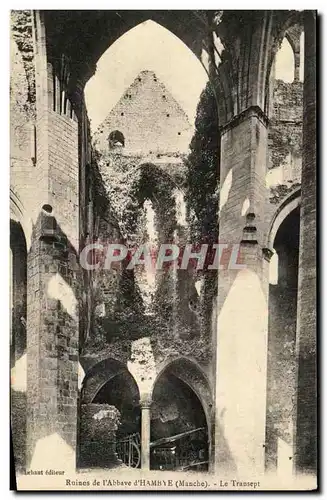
(109, 417)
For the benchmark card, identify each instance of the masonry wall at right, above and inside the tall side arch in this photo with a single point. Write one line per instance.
(283, 178)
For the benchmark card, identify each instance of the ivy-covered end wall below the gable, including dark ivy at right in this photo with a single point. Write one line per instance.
(179, 313)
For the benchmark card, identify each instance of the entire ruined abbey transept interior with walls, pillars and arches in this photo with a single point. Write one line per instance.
(179, 369)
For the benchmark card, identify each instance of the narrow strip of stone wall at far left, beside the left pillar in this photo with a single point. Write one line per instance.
(22, 178)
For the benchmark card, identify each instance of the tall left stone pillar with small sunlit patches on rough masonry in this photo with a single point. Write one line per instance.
(52, 276)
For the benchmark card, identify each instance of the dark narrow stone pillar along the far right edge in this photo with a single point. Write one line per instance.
(306, 419)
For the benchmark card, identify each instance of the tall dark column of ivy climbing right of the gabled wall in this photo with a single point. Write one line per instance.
(203, 177)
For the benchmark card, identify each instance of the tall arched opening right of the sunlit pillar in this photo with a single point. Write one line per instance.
(281, 368)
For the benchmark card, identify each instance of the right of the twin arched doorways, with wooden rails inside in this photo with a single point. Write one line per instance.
(179, 422)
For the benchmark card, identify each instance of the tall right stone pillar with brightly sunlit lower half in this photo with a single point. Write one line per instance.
(242, 312)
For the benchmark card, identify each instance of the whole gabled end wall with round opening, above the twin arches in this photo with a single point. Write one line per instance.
(178, 320)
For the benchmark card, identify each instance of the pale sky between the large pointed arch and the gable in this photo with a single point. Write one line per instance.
(165, 63)
